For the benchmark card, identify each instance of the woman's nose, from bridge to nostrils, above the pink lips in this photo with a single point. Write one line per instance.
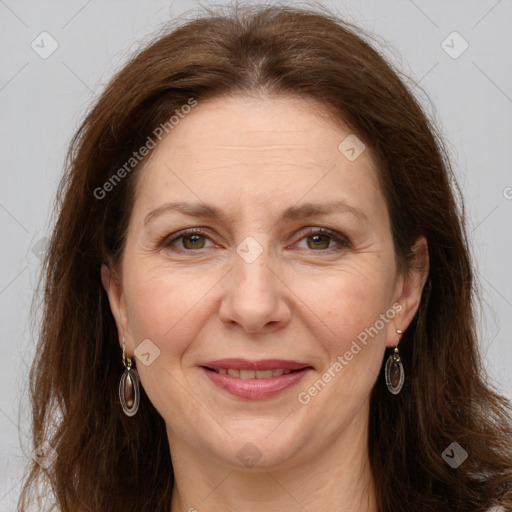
(255, 296)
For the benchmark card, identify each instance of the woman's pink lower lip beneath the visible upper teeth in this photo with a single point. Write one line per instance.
(256, 389)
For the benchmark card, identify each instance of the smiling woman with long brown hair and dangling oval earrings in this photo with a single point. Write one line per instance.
(258, 290)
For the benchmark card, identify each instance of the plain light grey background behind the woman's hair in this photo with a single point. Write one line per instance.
(43, 100)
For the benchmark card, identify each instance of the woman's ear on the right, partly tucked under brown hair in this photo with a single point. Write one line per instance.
(409, 289)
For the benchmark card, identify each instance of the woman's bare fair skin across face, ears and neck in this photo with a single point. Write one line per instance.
(253, 158)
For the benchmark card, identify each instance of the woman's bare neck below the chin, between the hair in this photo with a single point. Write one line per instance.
(338, 478)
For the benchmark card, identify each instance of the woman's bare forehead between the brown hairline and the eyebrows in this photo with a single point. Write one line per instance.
(258, 151)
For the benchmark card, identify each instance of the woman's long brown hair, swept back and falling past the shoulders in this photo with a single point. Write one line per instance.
(109, 462)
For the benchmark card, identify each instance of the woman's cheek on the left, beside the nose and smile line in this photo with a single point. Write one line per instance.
(168, 308)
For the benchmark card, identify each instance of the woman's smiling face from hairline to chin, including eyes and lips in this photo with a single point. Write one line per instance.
(261, 282)
